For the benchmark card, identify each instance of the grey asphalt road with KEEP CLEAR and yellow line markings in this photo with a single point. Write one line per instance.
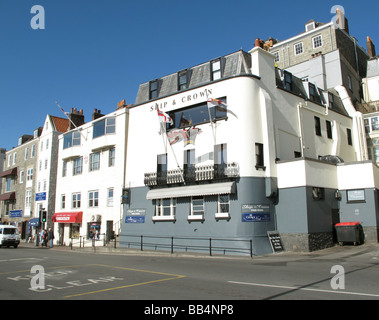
(30, 273)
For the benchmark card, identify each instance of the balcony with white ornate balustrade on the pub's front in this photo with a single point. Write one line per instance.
(192, 174)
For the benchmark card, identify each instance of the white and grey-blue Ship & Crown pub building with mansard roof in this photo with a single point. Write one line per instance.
(241, 177)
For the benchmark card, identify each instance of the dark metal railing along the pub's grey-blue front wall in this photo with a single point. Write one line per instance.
(187, 244)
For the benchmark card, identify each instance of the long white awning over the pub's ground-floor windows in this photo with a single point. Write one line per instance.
(191, 191)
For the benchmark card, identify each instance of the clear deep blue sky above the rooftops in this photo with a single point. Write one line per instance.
(94, 53)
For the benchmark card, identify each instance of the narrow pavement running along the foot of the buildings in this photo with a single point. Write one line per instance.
(333, 253)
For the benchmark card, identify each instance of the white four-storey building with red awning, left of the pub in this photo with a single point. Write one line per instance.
(90, 178)
